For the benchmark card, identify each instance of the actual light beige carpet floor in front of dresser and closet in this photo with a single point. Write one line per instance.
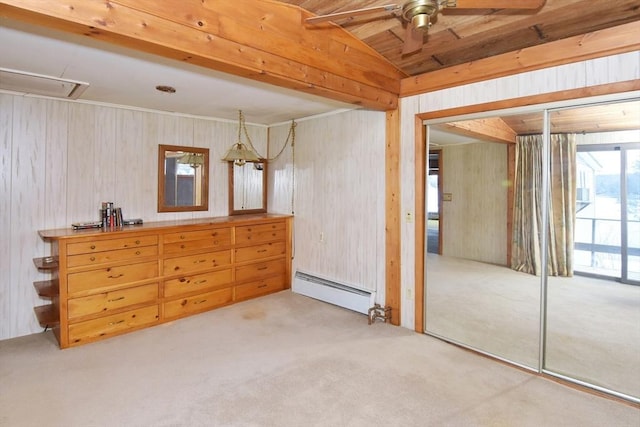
(282, 360)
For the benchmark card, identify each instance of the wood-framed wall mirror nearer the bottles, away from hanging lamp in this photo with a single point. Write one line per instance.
(183, 178)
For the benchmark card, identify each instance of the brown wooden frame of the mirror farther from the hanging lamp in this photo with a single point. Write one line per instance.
(204, 187)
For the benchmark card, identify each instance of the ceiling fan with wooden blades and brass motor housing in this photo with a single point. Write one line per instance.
(418, 15)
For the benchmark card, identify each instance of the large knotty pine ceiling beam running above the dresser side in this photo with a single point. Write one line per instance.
(261, 40)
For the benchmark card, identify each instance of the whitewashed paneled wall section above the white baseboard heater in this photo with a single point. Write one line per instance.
(337, 181)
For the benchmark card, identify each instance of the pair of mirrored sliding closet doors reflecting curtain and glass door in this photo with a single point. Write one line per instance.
(565, 301)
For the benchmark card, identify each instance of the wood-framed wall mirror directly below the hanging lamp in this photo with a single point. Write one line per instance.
(247, 188)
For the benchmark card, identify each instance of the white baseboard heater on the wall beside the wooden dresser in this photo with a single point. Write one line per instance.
(340, 294)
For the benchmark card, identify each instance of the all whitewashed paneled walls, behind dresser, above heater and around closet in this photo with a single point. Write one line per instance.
(59, 160)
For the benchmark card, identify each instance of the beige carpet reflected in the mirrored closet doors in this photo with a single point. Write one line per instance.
(593, 325)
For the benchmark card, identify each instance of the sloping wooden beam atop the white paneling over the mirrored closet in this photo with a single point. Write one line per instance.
(611, 41)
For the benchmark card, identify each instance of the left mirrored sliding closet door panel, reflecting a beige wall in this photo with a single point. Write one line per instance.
(473, 295)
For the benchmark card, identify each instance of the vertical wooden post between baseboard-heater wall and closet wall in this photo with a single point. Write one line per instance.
(392, 208)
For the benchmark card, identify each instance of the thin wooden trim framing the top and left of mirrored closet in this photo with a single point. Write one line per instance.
(420, 169)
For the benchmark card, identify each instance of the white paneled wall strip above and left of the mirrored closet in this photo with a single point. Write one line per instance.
(584, 74)
